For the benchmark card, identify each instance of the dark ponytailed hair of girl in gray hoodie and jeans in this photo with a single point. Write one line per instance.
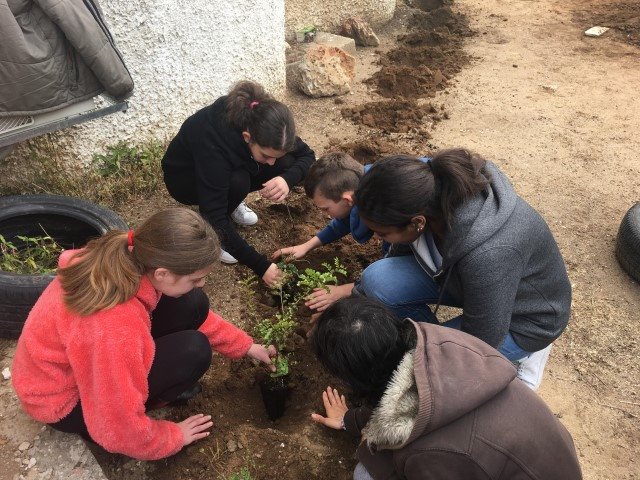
(400, 187)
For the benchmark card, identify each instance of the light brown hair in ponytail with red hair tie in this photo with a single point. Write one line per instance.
(107, 271)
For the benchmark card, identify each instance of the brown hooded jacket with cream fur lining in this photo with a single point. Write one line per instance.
(454, 410)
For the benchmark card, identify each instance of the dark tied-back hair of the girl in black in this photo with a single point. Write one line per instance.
(269, 122)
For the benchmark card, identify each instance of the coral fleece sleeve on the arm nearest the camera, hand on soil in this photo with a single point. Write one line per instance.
(111, 356)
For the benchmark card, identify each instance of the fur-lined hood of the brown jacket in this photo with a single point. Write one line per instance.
(445, 377)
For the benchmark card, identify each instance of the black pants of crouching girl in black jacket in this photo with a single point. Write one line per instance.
(183, 187)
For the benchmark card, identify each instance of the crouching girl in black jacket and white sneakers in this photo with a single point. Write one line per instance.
(243, 142)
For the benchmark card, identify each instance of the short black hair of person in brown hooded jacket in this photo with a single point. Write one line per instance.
(362, 342)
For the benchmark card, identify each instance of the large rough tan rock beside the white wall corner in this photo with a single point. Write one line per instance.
(326, 71)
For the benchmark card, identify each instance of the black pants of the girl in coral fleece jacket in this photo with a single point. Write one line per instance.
(183, 354)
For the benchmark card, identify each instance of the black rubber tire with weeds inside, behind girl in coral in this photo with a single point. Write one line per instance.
(70, 221)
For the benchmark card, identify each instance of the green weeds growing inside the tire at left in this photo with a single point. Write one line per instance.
(36, 255)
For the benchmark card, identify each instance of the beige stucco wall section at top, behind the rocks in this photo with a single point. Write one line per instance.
(328, 15)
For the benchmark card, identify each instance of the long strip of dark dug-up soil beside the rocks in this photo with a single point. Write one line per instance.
(423, 62)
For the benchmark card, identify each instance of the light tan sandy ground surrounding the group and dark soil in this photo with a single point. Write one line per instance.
(559, 112)
